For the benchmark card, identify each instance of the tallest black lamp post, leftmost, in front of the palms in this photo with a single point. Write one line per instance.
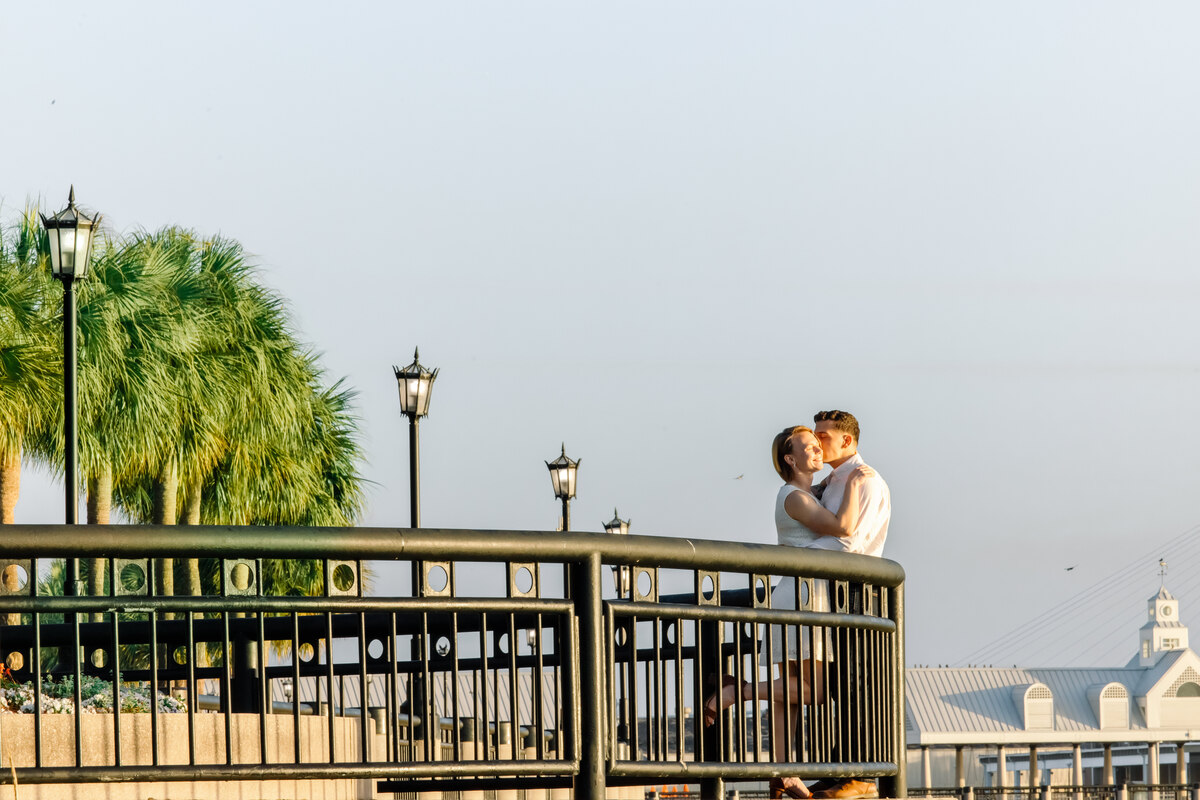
(70, 233)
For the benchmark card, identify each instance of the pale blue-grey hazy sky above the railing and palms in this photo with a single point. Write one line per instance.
(659, 233)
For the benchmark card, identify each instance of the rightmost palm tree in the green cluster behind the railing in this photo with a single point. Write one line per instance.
(247, 420)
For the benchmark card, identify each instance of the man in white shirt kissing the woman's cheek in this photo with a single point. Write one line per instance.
(838, 435)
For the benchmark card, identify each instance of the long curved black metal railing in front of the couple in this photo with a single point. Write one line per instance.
(513, 666)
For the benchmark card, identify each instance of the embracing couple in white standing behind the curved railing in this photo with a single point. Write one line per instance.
(848, 512)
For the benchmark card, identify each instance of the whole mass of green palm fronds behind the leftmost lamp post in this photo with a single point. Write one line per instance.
(195, 393)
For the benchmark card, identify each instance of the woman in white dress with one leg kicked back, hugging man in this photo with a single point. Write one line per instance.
(801, 521)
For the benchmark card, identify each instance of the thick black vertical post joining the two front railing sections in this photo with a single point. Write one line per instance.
(586, 578)
